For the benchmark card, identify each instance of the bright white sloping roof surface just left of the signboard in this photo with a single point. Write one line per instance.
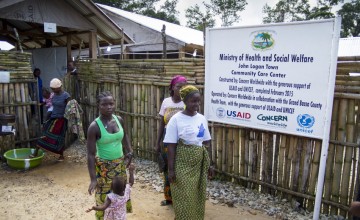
(184, 34)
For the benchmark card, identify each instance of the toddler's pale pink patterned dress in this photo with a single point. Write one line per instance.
(117, 208)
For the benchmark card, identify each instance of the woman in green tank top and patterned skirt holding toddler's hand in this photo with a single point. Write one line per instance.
(106, 142)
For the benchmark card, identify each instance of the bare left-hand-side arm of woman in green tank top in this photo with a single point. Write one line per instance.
(91, 151)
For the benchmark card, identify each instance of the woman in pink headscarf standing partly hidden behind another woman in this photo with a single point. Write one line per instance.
(169, 107)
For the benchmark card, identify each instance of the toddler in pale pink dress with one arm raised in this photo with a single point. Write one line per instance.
(115, 202)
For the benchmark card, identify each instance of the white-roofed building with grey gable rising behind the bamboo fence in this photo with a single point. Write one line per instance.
(146, 33)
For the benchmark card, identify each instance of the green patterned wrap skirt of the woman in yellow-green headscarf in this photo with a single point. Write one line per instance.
(189, 189)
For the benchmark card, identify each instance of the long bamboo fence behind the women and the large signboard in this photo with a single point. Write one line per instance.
(282, 165)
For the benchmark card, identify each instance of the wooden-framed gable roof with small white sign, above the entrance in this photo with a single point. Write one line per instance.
(74, 24)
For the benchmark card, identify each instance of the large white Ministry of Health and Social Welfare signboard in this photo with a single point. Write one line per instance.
(271, 77)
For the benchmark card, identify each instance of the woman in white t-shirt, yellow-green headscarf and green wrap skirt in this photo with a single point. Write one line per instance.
(188, 139)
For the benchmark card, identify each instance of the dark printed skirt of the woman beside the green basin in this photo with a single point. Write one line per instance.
(53, 135)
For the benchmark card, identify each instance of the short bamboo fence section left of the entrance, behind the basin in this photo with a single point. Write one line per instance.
(15, 96)
